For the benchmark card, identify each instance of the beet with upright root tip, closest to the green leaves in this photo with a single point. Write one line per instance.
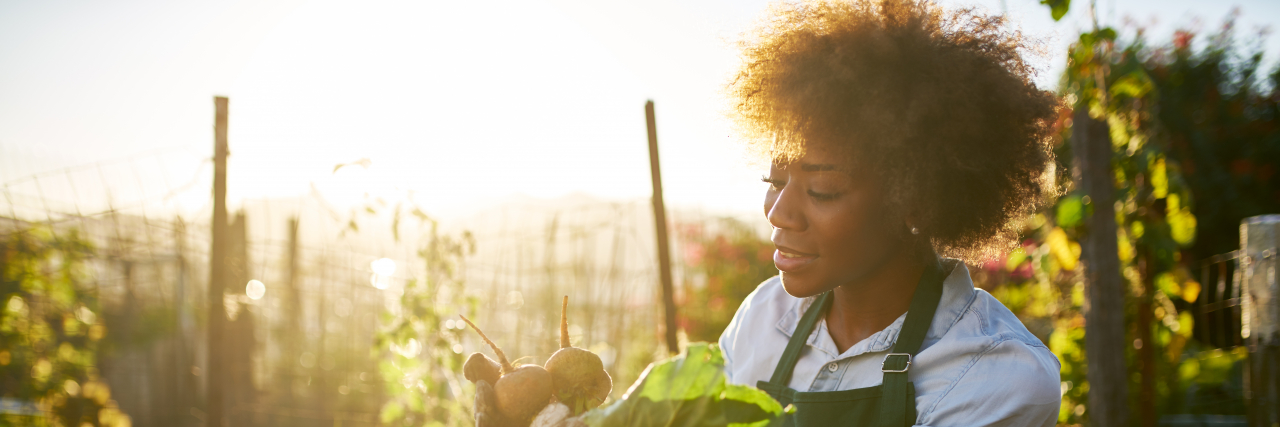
(578, 375)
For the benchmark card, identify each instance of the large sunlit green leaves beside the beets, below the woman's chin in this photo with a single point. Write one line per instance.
(685, 392)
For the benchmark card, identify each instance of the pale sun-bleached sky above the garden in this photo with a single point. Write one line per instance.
(463, 103)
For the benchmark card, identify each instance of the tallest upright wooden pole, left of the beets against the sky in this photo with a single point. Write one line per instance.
(217, 273)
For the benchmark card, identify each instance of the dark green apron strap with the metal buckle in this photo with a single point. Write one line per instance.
(920, 316)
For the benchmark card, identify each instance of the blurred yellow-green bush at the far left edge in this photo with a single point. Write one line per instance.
(51, 334)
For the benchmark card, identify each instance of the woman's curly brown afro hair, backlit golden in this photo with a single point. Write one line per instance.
(938, 103)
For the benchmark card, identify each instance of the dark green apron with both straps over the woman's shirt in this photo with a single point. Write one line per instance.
(893, 403)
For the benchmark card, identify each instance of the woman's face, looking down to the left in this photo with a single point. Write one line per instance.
(830, 227)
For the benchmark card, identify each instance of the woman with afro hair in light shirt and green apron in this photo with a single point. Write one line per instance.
(897, 132)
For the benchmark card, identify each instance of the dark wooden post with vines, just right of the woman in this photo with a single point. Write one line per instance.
(1104, 309)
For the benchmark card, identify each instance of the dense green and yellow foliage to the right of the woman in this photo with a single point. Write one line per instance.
(1196, 145)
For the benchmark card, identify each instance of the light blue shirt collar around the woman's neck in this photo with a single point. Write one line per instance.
(958, 293)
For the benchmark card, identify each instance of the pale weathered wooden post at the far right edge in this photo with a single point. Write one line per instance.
(1260, 320)
